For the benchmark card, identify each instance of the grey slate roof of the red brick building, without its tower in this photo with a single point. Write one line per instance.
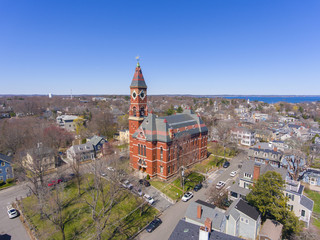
(164, 129)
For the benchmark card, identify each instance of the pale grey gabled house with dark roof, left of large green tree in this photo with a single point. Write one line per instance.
(242, 220)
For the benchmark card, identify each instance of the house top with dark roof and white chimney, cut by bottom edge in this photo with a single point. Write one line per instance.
(189, 231)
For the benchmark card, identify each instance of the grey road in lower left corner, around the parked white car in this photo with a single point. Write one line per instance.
(12, 229)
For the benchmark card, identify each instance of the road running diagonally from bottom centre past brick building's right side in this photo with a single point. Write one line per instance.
(174, 213)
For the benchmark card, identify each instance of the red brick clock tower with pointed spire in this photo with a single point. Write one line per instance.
(138, 103)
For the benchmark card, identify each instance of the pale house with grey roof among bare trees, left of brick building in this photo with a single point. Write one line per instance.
(81, 153)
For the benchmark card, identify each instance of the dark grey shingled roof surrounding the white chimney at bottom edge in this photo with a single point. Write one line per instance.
(188, 231)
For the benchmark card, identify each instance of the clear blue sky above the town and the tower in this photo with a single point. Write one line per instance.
(186, 47)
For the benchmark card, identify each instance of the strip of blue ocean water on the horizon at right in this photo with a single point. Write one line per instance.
(275, 99)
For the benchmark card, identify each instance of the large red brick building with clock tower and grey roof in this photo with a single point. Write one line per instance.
(160, 146)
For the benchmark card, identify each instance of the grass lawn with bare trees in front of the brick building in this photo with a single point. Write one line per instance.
(82, 226)
